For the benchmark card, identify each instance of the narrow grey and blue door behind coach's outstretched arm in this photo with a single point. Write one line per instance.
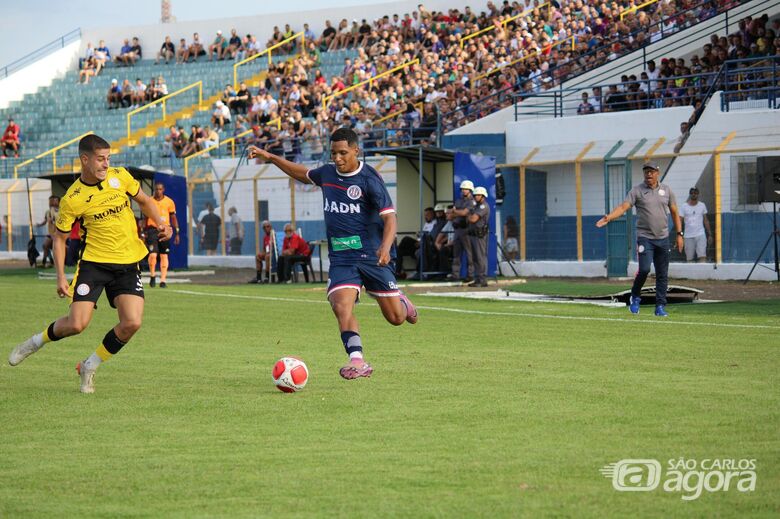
(617, 182)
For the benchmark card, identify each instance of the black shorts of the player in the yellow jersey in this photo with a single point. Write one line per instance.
(91, 278)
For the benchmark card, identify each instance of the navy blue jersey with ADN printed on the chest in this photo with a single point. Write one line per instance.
(353, 203)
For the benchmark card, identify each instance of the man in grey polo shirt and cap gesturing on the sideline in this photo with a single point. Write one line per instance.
(654, 202)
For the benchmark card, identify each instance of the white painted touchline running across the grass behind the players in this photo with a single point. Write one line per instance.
(499, 314)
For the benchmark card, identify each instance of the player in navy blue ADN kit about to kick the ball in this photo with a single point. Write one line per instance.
(360, 225)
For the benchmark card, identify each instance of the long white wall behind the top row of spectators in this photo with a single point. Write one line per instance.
(151, 36)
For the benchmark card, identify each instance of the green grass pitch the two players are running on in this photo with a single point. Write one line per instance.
(483, 409)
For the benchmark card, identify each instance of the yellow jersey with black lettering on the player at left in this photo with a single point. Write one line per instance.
(108, 228)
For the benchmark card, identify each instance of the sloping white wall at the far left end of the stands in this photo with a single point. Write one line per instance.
(38, 74)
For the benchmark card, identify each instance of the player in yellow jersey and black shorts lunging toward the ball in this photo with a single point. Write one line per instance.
(100, 200)
